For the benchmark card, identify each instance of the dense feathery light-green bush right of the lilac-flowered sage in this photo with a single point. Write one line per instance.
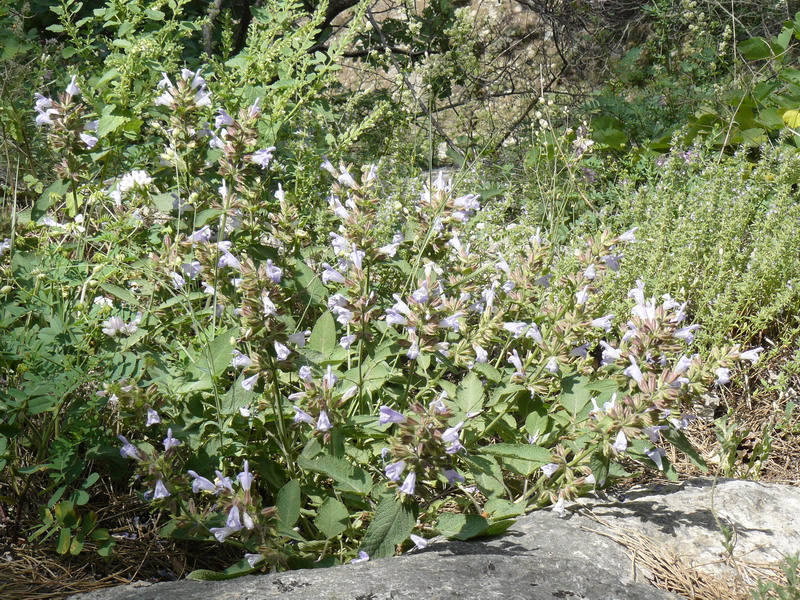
(723, 235)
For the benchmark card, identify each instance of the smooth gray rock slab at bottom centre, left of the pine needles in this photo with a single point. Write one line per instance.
(541, 557)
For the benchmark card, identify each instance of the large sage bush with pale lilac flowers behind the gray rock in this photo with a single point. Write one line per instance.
(318, 401)
